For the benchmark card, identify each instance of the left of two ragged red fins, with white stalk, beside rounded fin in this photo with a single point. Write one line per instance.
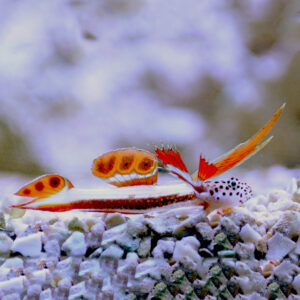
(174, 164)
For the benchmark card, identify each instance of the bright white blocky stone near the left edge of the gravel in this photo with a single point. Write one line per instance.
(30, 245)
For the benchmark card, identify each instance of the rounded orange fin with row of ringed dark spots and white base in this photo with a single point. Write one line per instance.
(126, 167)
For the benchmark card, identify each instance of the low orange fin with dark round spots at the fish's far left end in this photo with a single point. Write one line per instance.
(44, 186)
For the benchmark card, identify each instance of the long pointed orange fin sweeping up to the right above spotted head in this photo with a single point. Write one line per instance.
(243, 151)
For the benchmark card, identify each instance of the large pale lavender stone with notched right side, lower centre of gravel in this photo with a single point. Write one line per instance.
(186, 252)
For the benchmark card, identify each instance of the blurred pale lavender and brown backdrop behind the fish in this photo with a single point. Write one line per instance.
(79, 78)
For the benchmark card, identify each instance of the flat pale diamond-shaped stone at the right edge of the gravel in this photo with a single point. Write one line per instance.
(279, 246)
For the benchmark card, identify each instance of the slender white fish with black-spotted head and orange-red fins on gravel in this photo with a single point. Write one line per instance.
(133, 172)
